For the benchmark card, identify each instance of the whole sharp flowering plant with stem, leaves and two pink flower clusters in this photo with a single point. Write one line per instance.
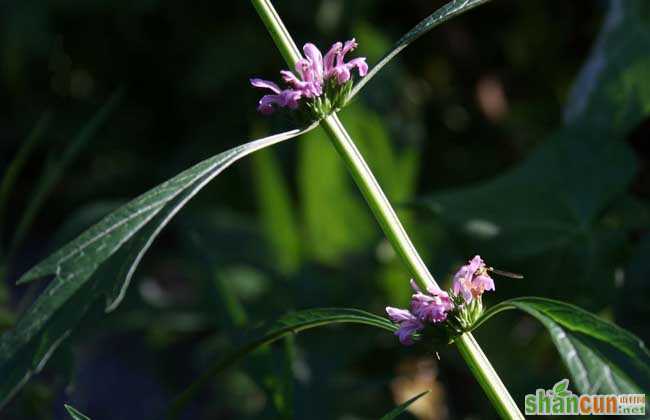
(317, 88)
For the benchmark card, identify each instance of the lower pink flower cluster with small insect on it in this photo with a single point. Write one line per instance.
(469, 283)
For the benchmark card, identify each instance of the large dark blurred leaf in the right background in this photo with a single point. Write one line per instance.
(548, 212)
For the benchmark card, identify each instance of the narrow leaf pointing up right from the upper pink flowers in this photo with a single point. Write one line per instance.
(440, 16)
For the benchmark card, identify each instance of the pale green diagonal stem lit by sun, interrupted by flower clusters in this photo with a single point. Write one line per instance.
(383, 211)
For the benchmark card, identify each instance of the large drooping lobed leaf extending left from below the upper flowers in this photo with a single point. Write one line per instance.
(108, 254)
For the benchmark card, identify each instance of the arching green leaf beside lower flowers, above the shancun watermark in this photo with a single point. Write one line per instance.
(600, 356)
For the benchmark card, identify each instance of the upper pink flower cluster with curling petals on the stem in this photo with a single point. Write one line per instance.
(314, 72)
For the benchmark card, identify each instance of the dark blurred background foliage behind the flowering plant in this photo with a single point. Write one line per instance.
(286, 229)
